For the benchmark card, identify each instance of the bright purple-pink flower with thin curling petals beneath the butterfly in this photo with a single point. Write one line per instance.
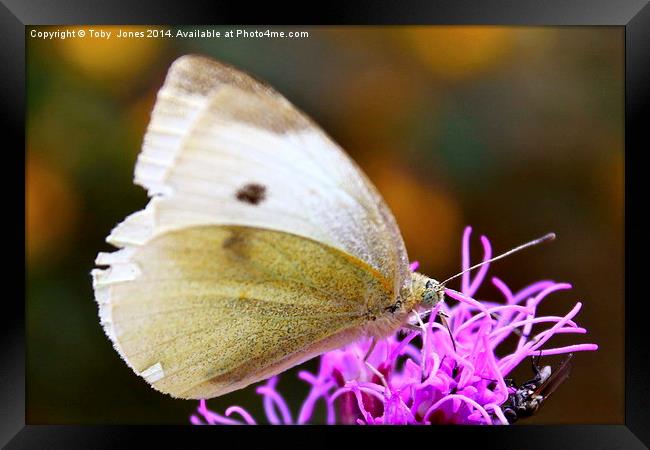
(425, 377)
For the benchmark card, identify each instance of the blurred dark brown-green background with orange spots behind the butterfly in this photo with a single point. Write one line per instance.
(515, 131)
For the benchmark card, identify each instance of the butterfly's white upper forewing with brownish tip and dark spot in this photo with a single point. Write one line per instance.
(233, 132)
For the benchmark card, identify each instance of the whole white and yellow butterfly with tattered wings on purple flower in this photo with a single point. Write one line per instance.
(262, 246)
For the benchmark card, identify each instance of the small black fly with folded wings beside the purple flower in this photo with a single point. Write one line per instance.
(530, 396)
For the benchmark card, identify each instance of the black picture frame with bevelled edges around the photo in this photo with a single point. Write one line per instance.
(633, 15)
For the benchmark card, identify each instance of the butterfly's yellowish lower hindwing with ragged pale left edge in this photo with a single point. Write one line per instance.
(212, 309)
